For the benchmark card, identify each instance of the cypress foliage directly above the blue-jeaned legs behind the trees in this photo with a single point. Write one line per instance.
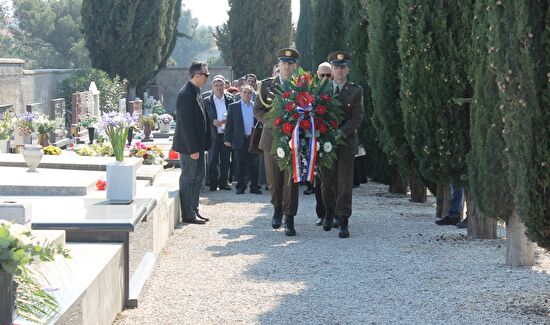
(432, 43)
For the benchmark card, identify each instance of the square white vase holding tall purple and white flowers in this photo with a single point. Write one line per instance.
(121, 181)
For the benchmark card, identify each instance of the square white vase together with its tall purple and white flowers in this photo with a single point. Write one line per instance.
(121, 175)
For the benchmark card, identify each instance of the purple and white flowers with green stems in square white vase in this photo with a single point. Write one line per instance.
(116, 126)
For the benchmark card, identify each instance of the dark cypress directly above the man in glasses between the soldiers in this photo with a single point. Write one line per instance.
(329, 28)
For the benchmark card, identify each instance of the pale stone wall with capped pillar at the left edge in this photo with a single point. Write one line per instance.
(20, 87)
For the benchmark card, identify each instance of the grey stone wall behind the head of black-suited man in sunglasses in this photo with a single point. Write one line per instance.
(171, 80)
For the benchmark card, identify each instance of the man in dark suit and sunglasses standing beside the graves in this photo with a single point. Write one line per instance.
(191, 139)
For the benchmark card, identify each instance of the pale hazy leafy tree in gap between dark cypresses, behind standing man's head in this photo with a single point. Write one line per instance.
(197, 39)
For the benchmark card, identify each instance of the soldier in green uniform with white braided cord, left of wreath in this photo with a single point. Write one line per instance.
(284, 193)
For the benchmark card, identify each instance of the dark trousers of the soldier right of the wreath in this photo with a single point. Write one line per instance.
(337, 183)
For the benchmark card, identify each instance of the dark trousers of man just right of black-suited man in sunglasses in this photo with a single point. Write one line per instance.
(218, 163)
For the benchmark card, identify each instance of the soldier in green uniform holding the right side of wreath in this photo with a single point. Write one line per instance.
(337, 182)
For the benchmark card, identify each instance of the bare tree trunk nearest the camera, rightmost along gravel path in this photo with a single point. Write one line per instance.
(519, 251)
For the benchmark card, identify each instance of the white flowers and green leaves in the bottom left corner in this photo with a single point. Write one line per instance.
(17, 254)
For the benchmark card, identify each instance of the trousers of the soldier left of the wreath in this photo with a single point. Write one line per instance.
(284, 192)
